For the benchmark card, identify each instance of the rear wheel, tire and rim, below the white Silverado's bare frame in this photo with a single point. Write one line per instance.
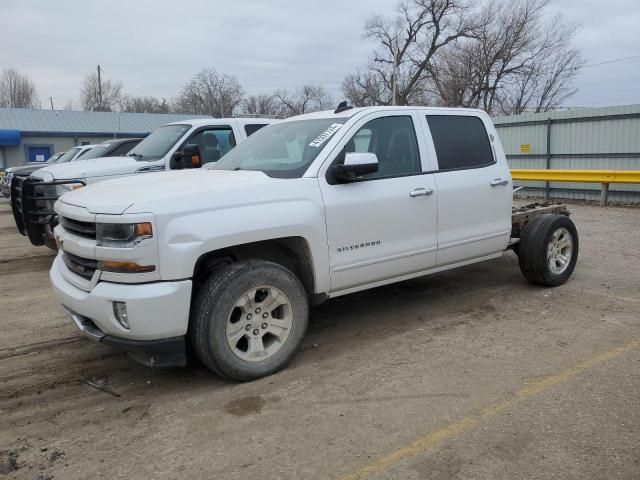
(548, 250)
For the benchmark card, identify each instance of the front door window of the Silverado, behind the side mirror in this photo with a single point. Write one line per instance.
(393, 140)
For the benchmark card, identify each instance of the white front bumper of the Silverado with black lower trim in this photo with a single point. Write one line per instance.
(158, 314)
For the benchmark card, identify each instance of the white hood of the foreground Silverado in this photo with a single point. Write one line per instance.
(170, 191)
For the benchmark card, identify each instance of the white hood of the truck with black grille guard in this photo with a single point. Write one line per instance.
(96, 167)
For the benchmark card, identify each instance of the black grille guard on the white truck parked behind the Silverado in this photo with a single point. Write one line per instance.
(32, 203)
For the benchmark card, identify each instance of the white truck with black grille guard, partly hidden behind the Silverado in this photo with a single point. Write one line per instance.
(192, 142)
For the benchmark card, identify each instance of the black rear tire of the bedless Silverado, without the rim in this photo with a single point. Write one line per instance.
(533, 249)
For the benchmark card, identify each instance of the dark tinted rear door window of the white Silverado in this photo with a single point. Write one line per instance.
(460, 141)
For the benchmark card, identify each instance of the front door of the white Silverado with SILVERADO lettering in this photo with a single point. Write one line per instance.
(384, 225)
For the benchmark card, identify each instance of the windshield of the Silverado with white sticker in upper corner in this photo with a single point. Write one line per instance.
(281, 150)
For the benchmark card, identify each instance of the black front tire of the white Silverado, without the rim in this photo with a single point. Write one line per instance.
(215, 303)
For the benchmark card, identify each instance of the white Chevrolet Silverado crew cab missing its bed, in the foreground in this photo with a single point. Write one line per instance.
(227, 260)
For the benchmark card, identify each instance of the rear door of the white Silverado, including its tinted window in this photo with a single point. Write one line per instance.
(474, 187)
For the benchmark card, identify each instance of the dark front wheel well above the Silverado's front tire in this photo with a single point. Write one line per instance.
(290, 252)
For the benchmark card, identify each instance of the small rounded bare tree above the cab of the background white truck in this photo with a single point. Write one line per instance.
(210, 93)
